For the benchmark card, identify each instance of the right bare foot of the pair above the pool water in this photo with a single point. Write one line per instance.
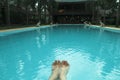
(64, 70)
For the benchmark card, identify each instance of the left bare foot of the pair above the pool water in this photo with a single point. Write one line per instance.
(55, 70)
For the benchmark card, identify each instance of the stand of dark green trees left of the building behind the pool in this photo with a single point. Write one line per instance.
(19, 11)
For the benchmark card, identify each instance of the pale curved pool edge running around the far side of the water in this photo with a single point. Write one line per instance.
(18, 30)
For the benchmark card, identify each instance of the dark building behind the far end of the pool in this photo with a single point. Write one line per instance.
(75, 12)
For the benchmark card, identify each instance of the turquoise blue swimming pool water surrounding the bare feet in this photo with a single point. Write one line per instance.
(93, 53)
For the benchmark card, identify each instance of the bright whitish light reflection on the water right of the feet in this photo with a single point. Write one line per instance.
(82, 67)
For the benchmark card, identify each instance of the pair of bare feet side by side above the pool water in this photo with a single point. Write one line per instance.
(59, 70)
